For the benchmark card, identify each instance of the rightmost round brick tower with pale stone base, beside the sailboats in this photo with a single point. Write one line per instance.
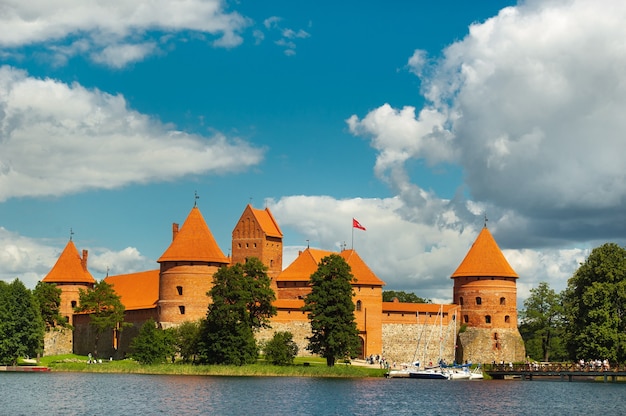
(485, 288)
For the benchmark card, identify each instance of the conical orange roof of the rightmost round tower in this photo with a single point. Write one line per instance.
(484, 259)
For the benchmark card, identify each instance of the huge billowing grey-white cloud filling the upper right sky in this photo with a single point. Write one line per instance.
(529, 104)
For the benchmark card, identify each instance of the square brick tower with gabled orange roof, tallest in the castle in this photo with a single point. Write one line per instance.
(257, 234)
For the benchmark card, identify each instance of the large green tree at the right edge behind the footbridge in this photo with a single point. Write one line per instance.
(595, 305)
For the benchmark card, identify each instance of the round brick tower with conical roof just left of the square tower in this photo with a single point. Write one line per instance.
(186, 271)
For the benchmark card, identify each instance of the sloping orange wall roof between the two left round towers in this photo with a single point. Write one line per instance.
(136, 290)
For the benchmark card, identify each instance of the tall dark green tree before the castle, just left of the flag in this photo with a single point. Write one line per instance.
(331, 311)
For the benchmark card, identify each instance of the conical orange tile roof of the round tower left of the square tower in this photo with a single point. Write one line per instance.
(194, 242)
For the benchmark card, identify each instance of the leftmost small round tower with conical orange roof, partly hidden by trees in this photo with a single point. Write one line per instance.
(70, 274)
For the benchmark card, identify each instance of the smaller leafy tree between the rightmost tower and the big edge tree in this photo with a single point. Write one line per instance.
(542, 324)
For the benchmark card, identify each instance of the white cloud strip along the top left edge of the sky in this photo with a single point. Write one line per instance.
(114, 32)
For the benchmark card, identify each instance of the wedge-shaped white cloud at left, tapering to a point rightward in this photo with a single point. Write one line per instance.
(58, 139)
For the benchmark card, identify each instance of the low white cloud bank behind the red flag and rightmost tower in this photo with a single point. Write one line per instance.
(410, 254)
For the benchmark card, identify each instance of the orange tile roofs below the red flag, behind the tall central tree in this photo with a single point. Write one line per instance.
(307, 262)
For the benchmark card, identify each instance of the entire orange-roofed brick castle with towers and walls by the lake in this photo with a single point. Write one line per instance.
(480, 326)
